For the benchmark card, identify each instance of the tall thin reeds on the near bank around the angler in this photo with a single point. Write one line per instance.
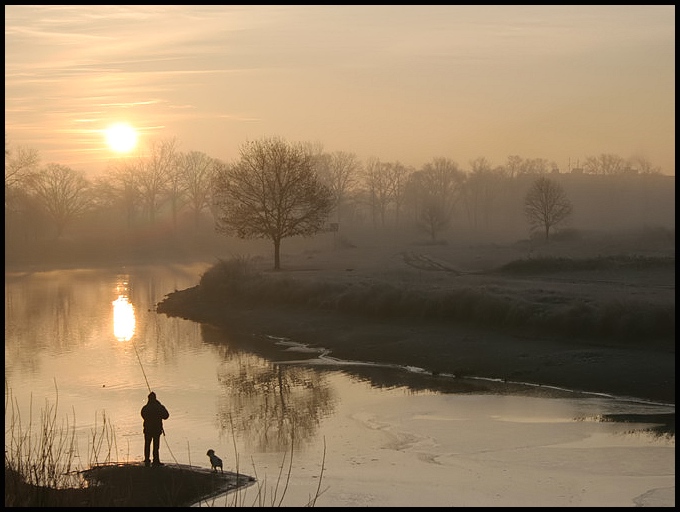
(41, 469)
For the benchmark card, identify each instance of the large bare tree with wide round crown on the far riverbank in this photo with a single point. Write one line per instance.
(272, 192)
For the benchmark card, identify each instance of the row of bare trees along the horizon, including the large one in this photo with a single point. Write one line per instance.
(278, 189)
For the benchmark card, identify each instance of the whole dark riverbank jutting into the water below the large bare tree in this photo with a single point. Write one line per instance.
(642, 368)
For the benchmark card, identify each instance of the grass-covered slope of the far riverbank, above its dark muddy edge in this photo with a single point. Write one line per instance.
(491, 300)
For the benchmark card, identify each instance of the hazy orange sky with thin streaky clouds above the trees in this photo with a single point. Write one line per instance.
(401, 83)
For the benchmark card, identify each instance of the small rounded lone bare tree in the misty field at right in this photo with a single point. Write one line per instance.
(546, 205)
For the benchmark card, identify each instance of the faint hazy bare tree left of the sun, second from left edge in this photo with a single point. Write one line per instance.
(63, 192)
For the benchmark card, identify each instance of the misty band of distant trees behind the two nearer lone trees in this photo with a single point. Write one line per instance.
(162, 203)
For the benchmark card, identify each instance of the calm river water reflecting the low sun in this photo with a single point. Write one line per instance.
(89, 344)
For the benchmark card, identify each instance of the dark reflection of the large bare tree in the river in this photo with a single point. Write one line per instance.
(268, 404)
